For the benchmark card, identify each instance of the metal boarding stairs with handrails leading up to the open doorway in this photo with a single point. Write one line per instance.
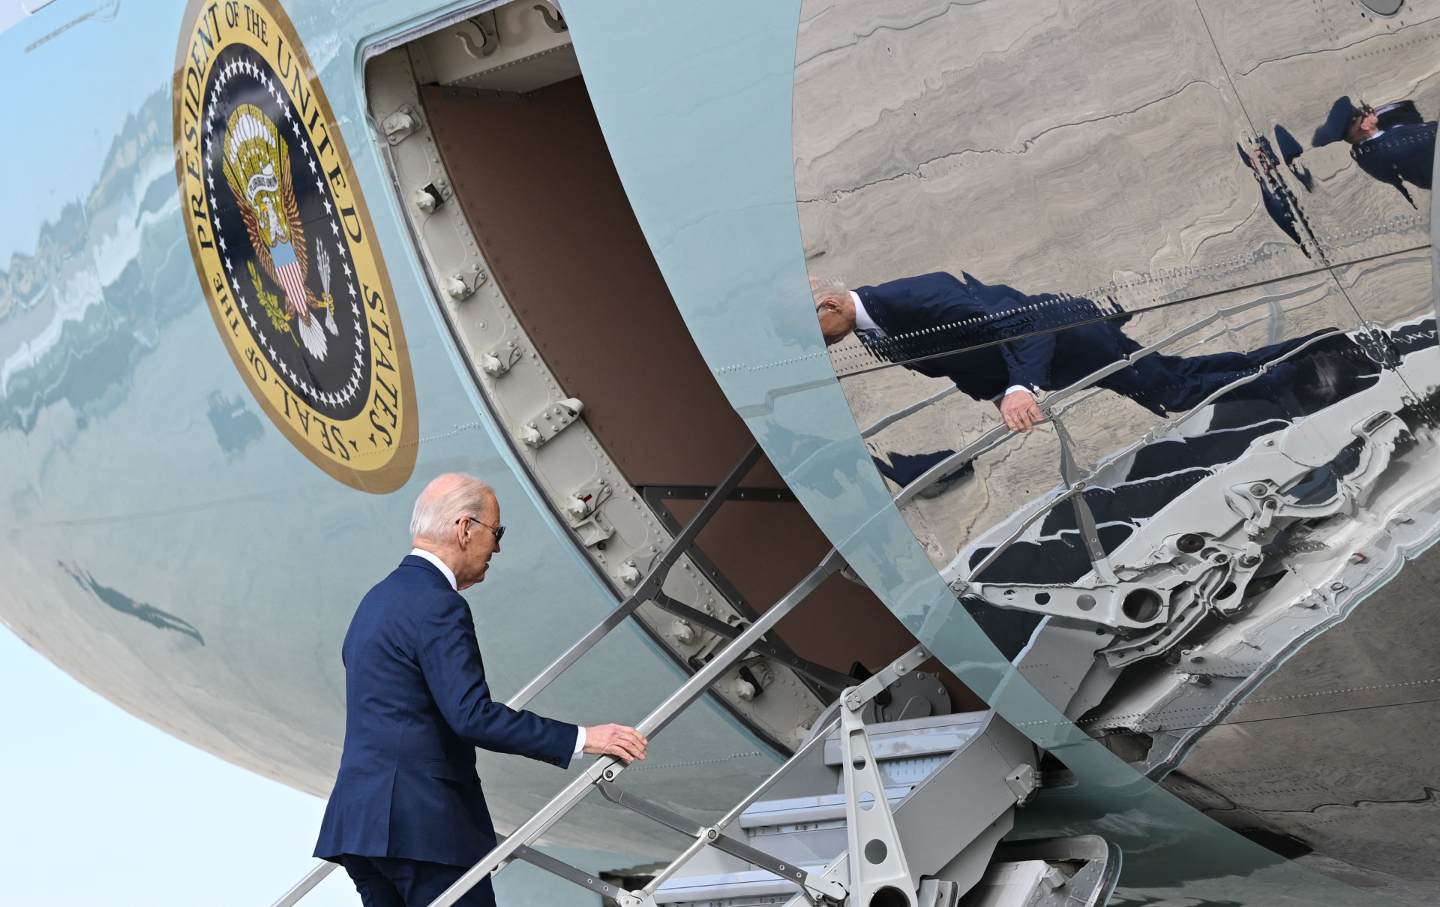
(891, 803)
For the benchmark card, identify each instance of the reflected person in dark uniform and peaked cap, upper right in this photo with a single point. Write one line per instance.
(1392, 143)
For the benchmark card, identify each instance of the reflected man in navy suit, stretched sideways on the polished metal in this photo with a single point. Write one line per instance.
(1000, 345)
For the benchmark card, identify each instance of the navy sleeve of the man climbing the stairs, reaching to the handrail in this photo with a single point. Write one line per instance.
(450, 660)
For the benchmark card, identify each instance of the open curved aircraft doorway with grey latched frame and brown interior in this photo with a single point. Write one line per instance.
(575, 342)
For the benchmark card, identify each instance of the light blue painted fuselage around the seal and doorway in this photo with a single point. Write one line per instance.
(166, 545)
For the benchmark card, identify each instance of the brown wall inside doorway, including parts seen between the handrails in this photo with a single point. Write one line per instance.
(542, 197)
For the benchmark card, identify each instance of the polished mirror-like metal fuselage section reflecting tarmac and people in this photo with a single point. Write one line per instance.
(1218, 215)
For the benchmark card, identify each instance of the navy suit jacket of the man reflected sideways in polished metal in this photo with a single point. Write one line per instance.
(942, 319)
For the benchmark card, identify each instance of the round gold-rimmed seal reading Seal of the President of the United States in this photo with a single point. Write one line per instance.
(284, 245)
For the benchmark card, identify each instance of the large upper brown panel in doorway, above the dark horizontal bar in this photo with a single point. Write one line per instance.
(548, 209)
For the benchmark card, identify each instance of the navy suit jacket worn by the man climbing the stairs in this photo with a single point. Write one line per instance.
(417, 705)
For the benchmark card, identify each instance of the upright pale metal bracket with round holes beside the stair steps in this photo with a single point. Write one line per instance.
(878, 865)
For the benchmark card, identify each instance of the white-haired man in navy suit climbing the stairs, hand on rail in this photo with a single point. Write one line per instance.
(407, 816)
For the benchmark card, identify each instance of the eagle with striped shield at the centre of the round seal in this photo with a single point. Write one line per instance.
(257, 169)
